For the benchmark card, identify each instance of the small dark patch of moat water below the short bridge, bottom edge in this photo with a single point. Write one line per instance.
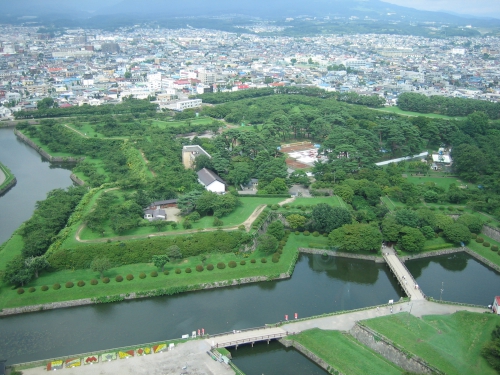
(273, 359)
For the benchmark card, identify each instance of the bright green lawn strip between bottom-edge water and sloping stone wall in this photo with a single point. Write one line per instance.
(344, 353)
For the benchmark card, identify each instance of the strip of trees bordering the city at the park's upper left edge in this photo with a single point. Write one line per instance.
(127, 106)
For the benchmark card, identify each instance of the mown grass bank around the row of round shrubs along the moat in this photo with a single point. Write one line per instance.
(10, 298)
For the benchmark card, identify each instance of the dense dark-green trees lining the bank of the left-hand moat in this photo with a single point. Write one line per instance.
(50, 216)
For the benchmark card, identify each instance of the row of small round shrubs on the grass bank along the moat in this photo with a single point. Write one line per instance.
(142, 275)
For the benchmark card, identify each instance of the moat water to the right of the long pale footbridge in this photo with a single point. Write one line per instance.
(462, 278)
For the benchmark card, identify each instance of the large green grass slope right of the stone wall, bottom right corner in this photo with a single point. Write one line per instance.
(451, 343)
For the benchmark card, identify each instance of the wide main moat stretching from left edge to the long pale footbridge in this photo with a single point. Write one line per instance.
(316, 287)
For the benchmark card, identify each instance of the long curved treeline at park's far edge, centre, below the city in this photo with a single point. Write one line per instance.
(351, 97)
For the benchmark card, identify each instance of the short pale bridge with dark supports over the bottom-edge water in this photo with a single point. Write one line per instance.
(249, 336)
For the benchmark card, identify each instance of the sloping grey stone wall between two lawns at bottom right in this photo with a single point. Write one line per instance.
(388, 350)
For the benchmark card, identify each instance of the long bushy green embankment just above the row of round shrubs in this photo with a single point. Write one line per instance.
(141, 251)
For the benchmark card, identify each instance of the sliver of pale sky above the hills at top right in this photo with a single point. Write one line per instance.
(489, 8)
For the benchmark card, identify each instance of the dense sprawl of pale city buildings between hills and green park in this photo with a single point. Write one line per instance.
(97, 67)
